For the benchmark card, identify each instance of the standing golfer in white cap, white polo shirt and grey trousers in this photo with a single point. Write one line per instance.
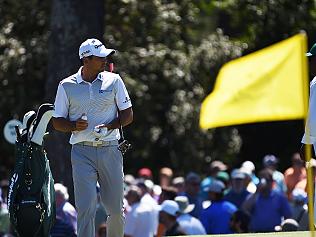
(92, 104)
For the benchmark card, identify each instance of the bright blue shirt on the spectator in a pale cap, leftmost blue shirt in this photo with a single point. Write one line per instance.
(216, 217)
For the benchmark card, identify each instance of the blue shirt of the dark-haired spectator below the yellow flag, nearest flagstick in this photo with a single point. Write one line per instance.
(268, 212)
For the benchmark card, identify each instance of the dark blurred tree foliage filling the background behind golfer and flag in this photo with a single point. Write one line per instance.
(169, 53)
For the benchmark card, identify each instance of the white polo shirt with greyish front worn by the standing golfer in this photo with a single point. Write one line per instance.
(99, 100)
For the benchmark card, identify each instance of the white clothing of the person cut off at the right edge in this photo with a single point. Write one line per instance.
(311, 120)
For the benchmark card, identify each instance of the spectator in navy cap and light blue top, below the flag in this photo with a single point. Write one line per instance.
(270, 162)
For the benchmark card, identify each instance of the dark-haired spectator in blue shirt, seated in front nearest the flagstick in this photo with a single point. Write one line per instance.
(266, 207)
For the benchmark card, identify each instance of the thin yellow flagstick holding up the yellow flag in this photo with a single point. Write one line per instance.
(310, 178)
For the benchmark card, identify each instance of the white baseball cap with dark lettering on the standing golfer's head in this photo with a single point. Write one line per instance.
(94, 47)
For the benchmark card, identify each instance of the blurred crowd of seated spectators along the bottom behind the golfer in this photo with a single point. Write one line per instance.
(228, 200)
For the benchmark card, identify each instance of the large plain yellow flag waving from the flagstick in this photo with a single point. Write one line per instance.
(267, 85)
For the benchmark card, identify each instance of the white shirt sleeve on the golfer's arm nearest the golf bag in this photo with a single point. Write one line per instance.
(61, 103)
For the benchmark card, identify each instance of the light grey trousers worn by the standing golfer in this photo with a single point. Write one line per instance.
(105, 165)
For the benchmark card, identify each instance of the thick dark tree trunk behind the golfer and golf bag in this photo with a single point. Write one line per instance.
(72, 22)
